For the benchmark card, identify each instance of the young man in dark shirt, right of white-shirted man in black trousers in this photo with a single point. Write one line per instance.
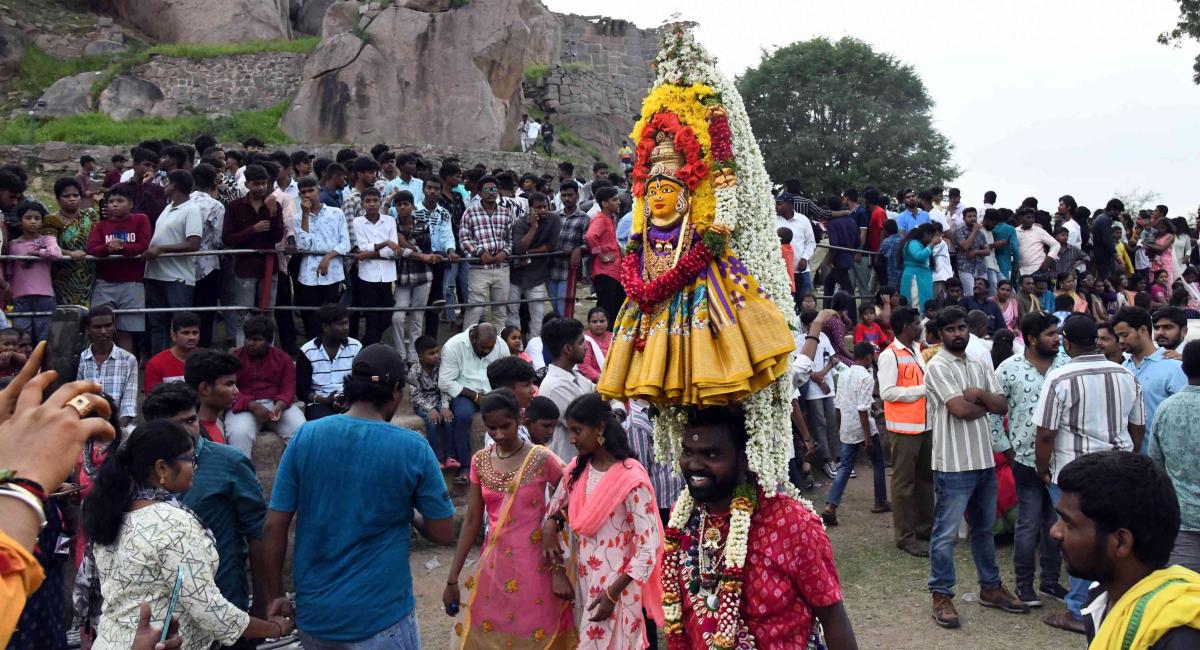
(413, 275)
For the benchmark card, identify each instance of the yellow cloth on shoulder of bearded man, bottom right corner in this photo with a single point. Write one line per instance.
(1159, 604)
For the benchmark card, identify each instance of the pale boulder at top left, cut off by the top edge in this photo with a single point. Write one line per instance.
(208, 21)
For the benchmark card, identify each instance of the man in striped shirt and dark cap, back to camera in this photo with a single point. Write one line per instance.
(1088, 405)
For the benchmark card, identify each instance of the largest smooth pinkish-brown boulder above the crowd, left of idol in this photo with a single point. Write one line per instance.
(449, 79)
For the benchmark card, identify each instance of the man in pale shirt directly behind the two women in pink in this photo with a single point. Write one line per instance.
(563, 383)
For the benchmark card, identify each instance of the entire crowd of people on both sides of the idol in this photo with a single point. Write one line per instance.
(1061, 413)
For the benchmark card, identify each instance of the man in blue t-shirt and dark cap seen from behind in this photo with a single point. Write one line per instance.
(356, 484)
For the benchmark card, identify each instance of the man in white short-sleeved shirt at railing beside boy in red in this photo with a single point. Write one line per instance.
(171, 282)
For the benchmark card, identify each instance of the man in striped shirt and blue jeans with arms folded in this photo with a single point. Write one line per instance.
(963, 390)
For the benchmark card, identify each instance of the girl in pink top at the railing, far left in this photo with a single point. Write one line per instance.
(31, 282)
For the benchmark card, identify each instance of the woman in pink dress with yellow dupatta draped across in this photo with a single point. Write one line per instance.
(511, 603)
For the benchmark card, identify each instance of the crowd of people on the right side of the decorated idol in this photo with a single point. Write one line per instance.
(989, 396)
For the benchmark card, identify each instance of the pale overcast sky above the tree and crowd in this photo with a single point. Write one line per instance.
(1040, 98)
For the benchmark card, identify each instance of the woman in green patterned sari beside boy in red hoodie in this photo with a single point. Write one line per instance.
(71, 226)
